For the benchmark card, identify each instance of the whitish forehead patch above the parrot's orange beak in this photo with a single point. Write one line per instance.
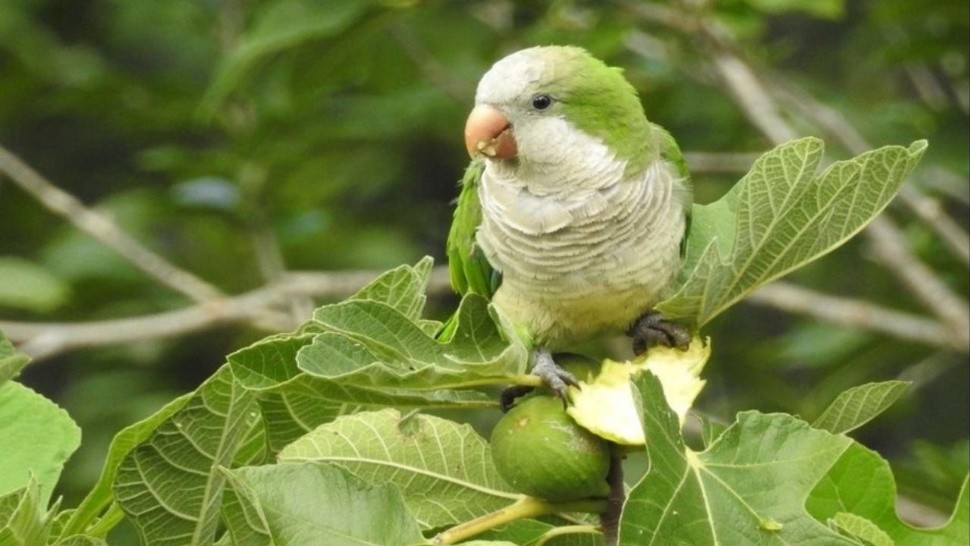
(512, 76)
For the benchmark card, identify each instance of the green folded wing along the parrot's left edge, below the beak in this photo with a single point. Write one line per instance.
(470, 271)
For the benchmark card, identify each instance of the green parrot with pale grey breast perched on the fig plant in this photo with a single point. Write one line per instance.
(573, 211)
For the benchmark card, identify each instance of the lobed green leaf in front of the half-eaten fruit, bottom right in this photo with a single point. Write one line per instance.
(749, 487)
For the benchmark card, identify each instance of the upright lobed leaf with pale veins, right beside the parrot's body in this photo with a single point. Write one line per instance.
(779, 217)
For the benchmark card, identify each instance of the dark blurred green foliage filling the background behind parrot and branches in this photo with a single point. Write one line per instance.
(240, 139)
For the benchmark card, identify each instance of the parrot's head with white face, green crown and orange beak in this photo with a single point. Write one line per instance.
(530, 105)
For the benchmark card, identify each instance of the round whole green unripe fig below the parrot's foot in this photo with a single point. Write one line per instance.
(542, 452)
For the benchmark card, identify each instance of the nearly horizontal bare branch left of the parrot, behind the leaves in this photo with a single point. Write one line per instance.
(45, 340)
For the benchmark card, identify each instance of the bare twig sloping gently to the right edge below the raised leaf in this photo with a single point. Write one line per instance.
(855, 314)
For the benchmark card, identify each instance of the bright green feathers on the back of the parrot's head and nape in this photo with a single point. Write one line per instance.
(598, 100)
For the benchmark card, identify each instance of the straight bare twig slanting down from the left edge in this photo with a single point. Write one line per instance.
(104, 229)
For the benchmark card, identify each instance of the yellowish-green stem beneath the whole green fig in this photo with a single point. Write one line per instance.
(524, 507)
